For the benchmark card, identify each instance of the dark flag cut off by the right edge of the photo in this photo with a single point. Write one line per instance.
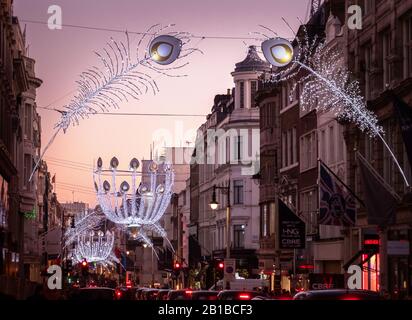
(404, 115)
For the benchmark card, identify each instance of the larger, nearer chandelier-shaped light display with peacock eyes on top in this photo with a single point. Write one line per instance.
(140, 198)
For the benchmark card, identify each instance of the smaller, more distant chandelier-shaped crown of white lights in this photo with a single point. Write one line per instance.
(94, 246)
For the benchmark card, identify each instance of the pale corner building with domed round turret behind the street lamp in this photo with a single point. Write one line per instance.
(226, 156)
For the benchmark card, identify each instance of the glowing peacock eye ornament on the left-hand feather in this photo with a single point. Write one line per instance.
(165, 49)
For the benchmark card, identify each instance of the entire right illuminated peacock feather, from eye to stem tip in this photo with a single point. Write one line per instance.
(325, 81)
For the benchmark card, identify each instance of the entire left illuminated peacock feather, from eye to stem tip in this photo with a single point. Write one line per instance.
(122, 75)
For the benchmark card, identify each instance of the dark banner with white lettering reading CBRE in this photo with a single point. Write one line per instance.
(292, 230)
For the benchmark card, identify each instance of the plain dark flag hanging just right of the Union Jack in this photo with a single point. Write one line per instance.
(380, 199)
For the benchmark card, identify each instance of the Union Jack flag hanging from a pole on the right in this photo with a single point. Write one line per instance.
(337, 206)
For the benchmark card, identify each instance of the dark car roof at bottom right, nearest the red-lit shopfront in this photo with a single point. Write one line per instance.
(337, 294)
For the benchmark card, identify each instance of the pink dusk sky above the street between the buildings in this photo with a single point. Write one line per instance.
(61, 55)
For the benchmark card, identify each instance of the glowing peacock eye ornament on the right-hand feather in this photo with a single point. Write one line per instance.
(278, 51)
